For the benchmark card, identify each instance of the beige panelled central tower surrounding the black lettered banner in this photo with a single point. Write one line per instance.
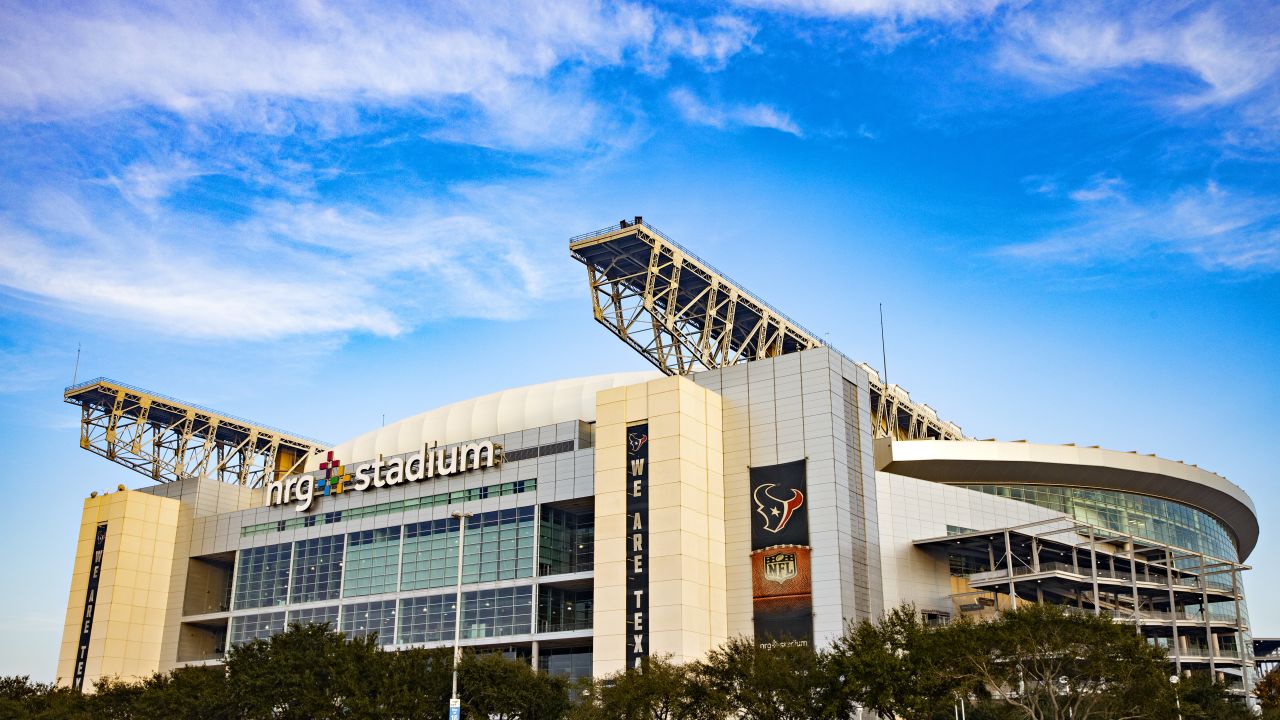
(687, 521)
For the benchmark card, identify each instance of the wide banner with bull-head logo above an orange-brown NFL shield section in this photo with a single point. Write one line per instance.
(781, 575)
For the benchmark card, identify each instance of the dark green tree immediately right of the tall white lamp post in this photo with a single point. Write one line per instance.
(493, 687)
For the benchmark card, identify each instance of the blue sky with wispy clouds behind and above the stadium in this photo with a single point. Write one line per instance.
(322, 215)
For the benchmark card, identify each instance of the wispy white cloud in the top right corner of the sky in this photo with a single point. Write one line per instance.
(1228, 57)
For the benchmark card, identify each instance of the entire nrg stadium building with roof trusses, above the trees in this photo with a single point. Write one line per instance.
(758, 484)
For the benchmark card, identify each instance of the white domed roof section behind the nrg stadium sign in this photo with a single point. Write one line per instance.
(488, 416)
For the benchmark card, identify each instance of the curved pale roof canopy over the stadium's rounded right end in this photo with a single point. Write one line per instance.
(1068, 466)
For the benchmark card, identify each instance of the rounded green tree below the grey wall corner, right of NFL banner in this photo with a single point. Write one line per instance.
(899, 667)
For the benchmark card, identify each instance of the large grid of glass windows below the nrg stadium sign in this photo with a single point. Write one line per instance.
(422, 557)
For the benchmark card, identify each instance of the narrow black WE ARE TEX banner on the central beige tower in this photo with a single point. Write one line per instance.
(638, 545)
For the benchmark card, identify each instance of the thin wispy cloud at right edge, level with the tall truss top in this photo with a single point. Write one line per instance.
(1217, 229)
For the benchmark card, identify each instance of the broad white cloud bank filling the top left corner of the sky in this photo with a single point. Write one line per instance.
(255, 66)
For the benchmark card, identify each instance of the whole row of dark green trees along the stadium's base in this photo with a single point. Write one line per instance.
(1036, 663)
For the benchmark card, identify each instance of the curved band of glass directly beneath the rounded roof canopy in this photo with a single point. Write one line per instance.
(1162, 521)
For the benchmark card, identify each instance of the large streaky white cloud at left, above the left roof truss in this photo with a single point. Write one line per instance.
(292, 270)
